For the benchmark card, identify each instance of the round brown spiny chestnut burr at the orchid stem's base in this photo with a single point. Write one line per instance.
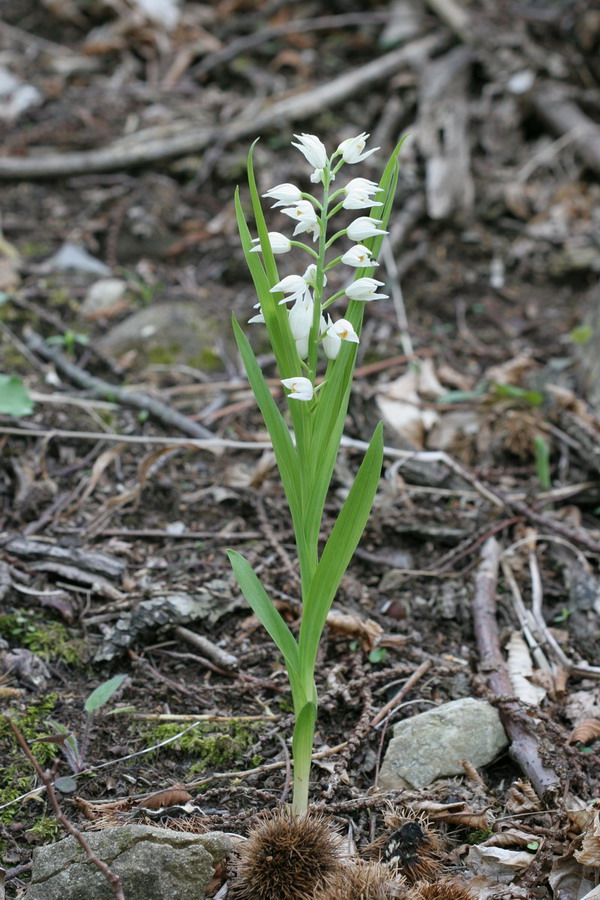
(288, 857)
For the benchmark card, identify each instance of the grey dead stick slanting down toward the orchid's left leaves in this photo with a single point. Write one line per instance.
(103, 390)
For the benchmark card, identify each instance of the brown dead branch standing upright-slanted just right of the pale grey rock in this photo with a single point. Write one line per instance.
(524, 749)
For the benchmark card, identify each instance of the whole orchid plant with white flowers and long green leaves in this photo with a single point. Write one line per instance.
(300, 336)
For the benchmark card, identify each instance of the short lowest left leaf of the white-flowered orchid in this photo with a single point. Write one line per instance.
(269, 617)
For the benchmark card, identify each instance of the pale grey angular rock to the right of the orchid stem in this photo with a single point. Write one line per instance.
(430, 745)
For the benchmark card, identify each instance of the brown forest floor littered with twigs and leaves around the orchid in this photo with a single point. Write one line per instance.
(122, 157)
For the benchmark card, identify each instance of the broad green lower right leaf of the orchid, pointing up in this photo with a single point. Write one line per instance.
(338, 551)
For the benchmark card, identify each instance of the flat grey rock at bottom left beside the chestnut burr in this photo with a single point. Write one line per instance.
(152, 863)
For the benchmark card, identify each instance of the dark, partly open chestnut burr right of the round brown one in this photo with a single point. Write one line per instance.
(413, 850)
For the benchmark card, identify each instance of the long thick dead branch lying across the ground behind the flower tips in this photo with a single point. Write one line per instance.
(180, 138)
